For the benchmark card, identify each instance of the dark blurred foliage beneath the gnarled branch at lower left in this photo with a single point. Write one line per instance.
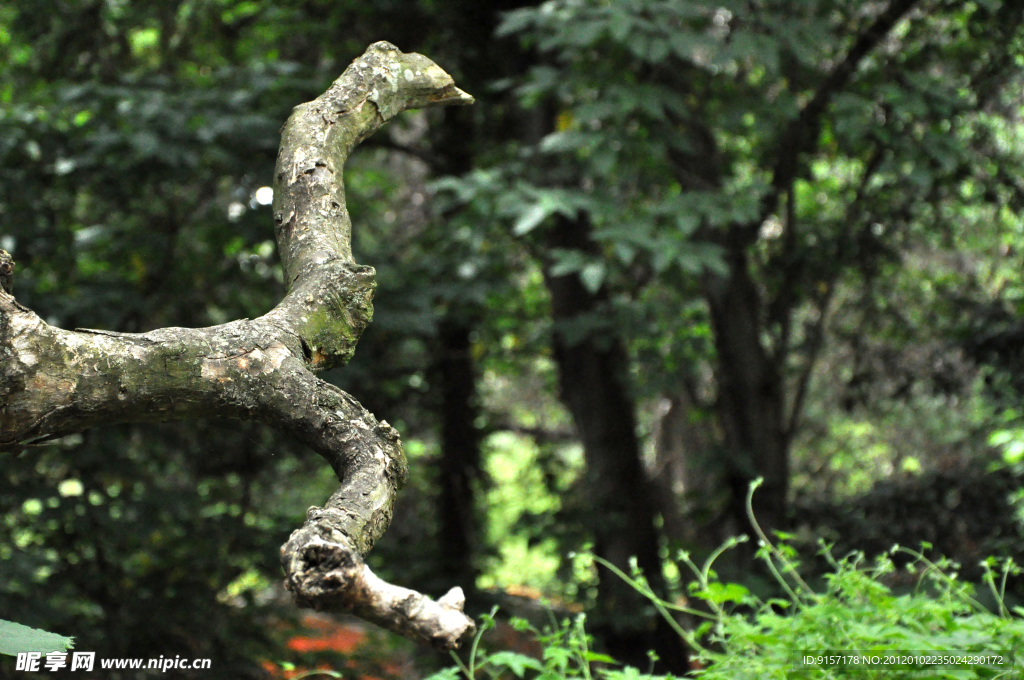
(96, 542)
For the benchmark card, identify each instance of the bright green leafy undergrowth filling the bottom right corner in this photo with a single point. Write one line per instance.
(860, 611)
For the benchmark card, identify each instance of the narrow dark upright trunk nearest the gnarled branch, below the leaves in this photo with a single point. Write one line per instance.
(460, 445)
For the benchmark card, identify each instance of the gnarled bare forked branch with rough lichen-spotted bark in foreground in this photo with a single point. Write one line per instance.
(55, 382)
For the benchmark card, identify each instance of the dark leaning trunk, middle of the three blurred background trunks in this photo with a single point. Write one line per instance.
(593, 376)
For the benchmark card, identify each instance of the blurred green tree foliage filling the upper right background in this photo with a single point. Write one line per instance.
(875, 258)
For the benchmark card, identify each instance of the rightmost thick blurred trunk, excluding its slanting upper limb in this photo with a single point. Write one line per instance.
(751, 386)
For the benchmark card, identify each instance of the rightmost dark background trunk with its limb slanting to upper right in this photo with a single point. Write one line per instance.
(752, 393)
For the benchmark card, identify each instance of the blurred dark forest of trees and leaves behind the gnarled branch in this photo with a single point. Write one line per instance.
(675, 247)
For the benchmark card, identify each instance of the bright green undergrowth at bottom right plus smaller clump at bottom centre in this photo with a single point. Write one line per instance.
(857, 625)
